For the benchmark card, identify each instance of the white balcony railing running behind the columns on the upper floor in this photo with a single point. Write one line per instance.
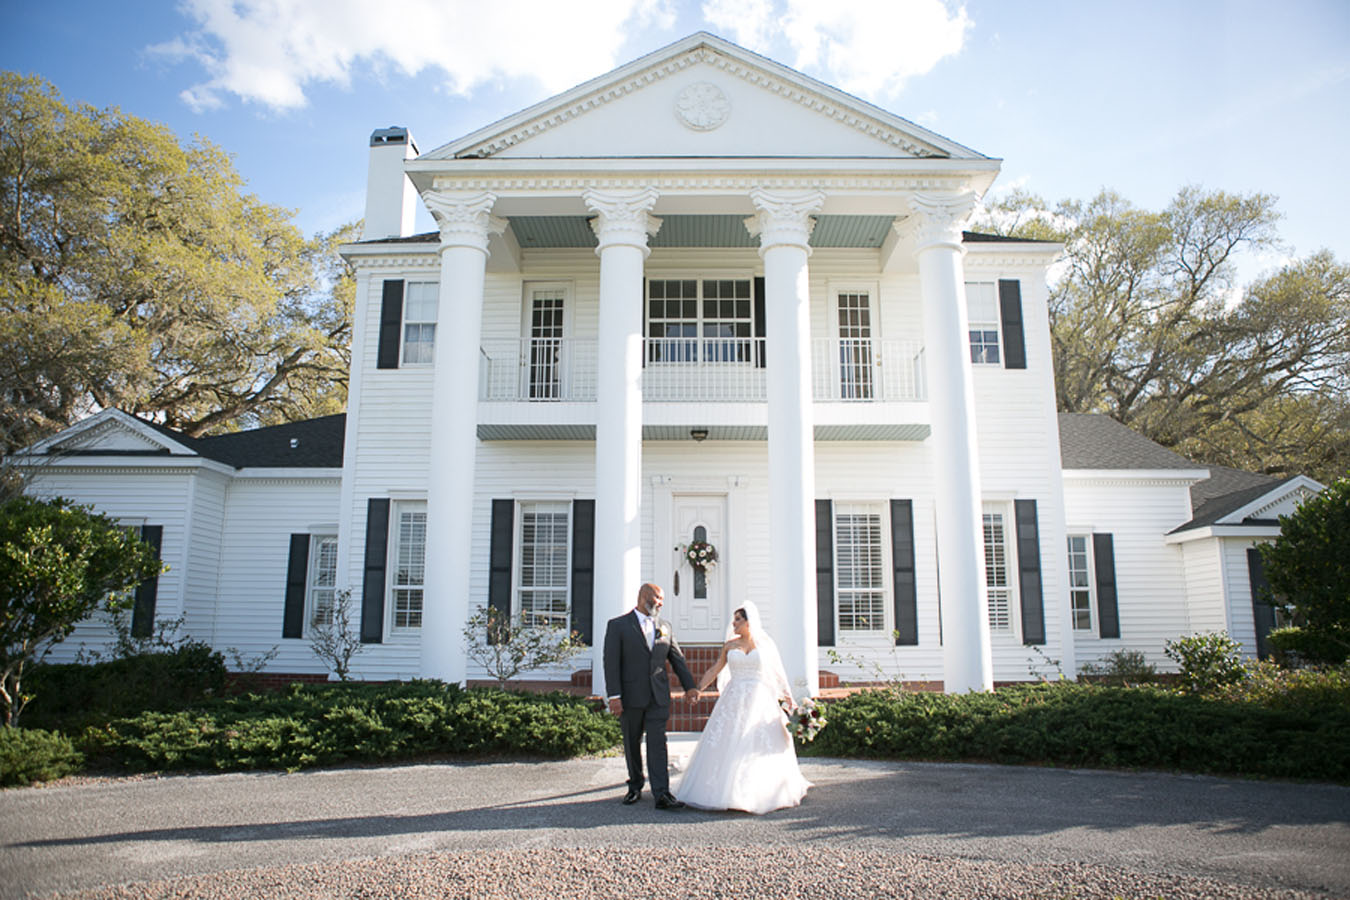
(724, 370)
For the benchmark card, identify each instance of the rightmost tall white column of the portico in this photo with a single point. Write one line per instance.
(956, 466)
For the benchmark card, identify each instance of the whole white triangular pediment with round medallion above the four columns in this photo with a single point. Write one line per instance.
(704, 98)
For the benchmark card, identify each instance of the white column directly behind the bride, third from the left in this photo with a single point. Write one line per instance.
(784, 226)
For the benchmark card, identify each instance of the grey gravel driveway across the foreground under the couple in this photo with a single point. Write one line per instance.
(557, 831)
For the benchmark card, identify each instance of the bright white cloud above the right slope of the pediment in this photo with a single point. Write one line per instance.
(866, 47)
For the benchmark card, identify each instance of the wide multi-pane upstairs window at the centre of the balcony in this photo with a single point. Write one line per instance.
(693, 320)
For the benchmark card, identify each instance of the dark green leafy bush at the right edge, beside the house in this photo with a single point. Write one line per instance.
(1309, 570)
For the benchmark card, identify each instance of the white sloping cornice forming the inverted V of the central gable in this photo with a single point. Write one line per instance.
(736, 61)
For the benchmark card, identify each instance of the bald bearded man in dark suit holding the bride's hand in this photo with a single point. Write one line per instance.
(638, 646)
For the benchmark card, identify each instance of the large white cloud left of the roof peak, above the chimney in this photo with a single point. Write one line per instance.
(271, 51)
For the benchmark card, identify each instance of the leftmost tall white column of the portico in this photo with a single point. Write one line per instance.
(466, 223)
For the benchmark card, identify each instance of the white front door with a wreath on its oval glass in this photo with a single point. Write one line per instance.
(697, 601)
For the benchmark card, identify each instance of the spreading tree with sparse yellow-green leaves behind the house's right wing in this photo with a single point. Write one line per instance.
(1145, 329)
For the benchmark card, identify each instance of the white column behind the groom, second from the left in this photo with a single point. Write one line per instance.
(622, 225)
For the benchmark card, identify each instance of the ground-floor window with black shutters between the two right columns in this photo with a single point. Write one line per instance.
(861, 569)
